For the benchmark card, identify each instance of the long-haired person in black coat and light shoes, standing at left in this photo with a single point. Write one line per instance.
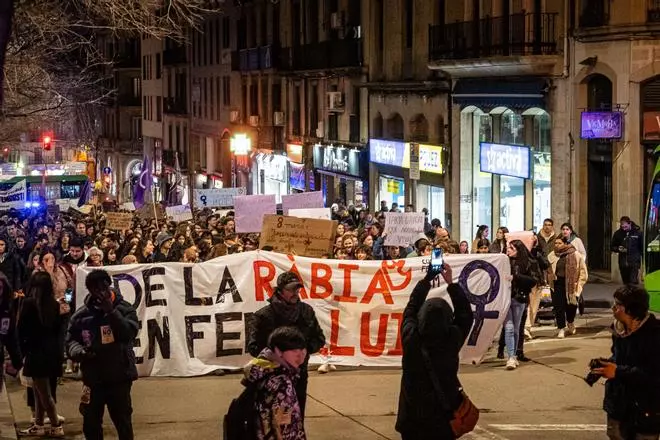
(39, 322)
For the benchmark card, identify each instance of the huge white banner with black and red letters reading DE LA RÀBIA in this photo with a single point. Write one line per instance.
(193, 316)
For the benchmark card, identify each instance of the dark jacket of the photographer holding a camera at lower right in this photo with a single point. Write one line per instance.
(636, 385)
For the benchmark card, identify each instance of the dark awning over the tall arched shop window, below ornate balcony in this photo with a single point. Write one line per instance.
(488, 93)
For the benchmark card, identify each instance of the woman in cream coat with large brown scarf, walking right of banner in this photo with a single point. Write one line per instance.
(570, 276)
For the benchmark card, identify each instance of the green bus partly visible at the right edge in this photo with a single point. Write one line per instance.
(652, 238)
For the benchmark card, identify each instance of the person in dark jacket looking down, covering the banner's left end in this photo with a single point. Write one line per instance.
(100, 337)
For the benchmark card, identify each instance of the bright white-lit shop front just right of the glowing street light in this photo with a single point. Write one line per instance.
(270, 175)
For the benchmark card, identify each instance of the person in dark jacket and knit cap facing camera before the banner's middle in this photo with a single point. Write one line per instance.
(286, 310)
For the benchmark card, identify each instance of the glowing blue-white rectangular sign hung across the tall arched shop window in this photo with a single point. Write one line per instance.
(506, 160)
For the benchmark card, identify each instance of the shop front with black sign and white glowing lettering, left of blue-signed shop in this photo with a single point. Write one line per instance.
(341, 172)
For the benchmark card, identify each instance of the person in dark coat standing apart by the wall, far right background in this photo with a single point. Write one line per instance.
(628, 242)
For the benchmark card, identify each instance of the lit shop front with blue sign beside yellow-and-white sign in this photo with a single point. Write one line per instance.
(392, 162)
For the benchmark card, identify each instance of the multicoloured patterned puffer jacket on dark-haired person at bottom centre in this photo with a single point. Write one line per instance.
(278, 411)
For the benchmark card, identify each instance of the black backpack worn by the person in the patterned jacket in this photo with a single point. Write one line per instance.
(240, 421)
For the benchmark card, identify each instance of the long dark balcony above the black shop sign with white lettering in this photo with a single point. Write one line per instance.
(331, 54)
